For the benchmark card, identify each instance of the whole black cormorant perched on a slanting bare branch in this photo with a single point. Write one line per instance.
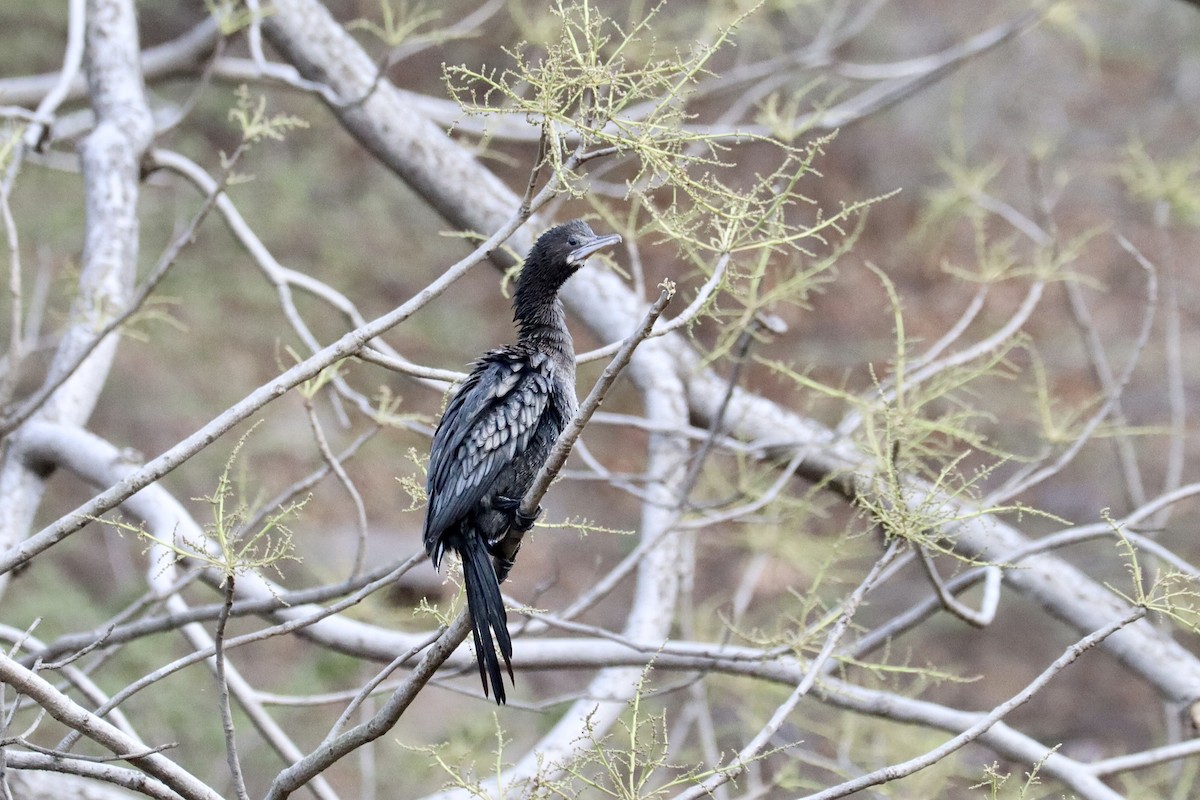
(496, 435)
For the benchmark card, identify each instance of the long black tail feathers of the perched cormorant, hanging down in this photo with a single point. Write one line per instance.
(487, 616)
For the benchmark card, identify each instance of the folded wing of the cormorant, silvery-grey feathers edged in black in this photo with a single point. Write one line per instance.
(488, 424)
